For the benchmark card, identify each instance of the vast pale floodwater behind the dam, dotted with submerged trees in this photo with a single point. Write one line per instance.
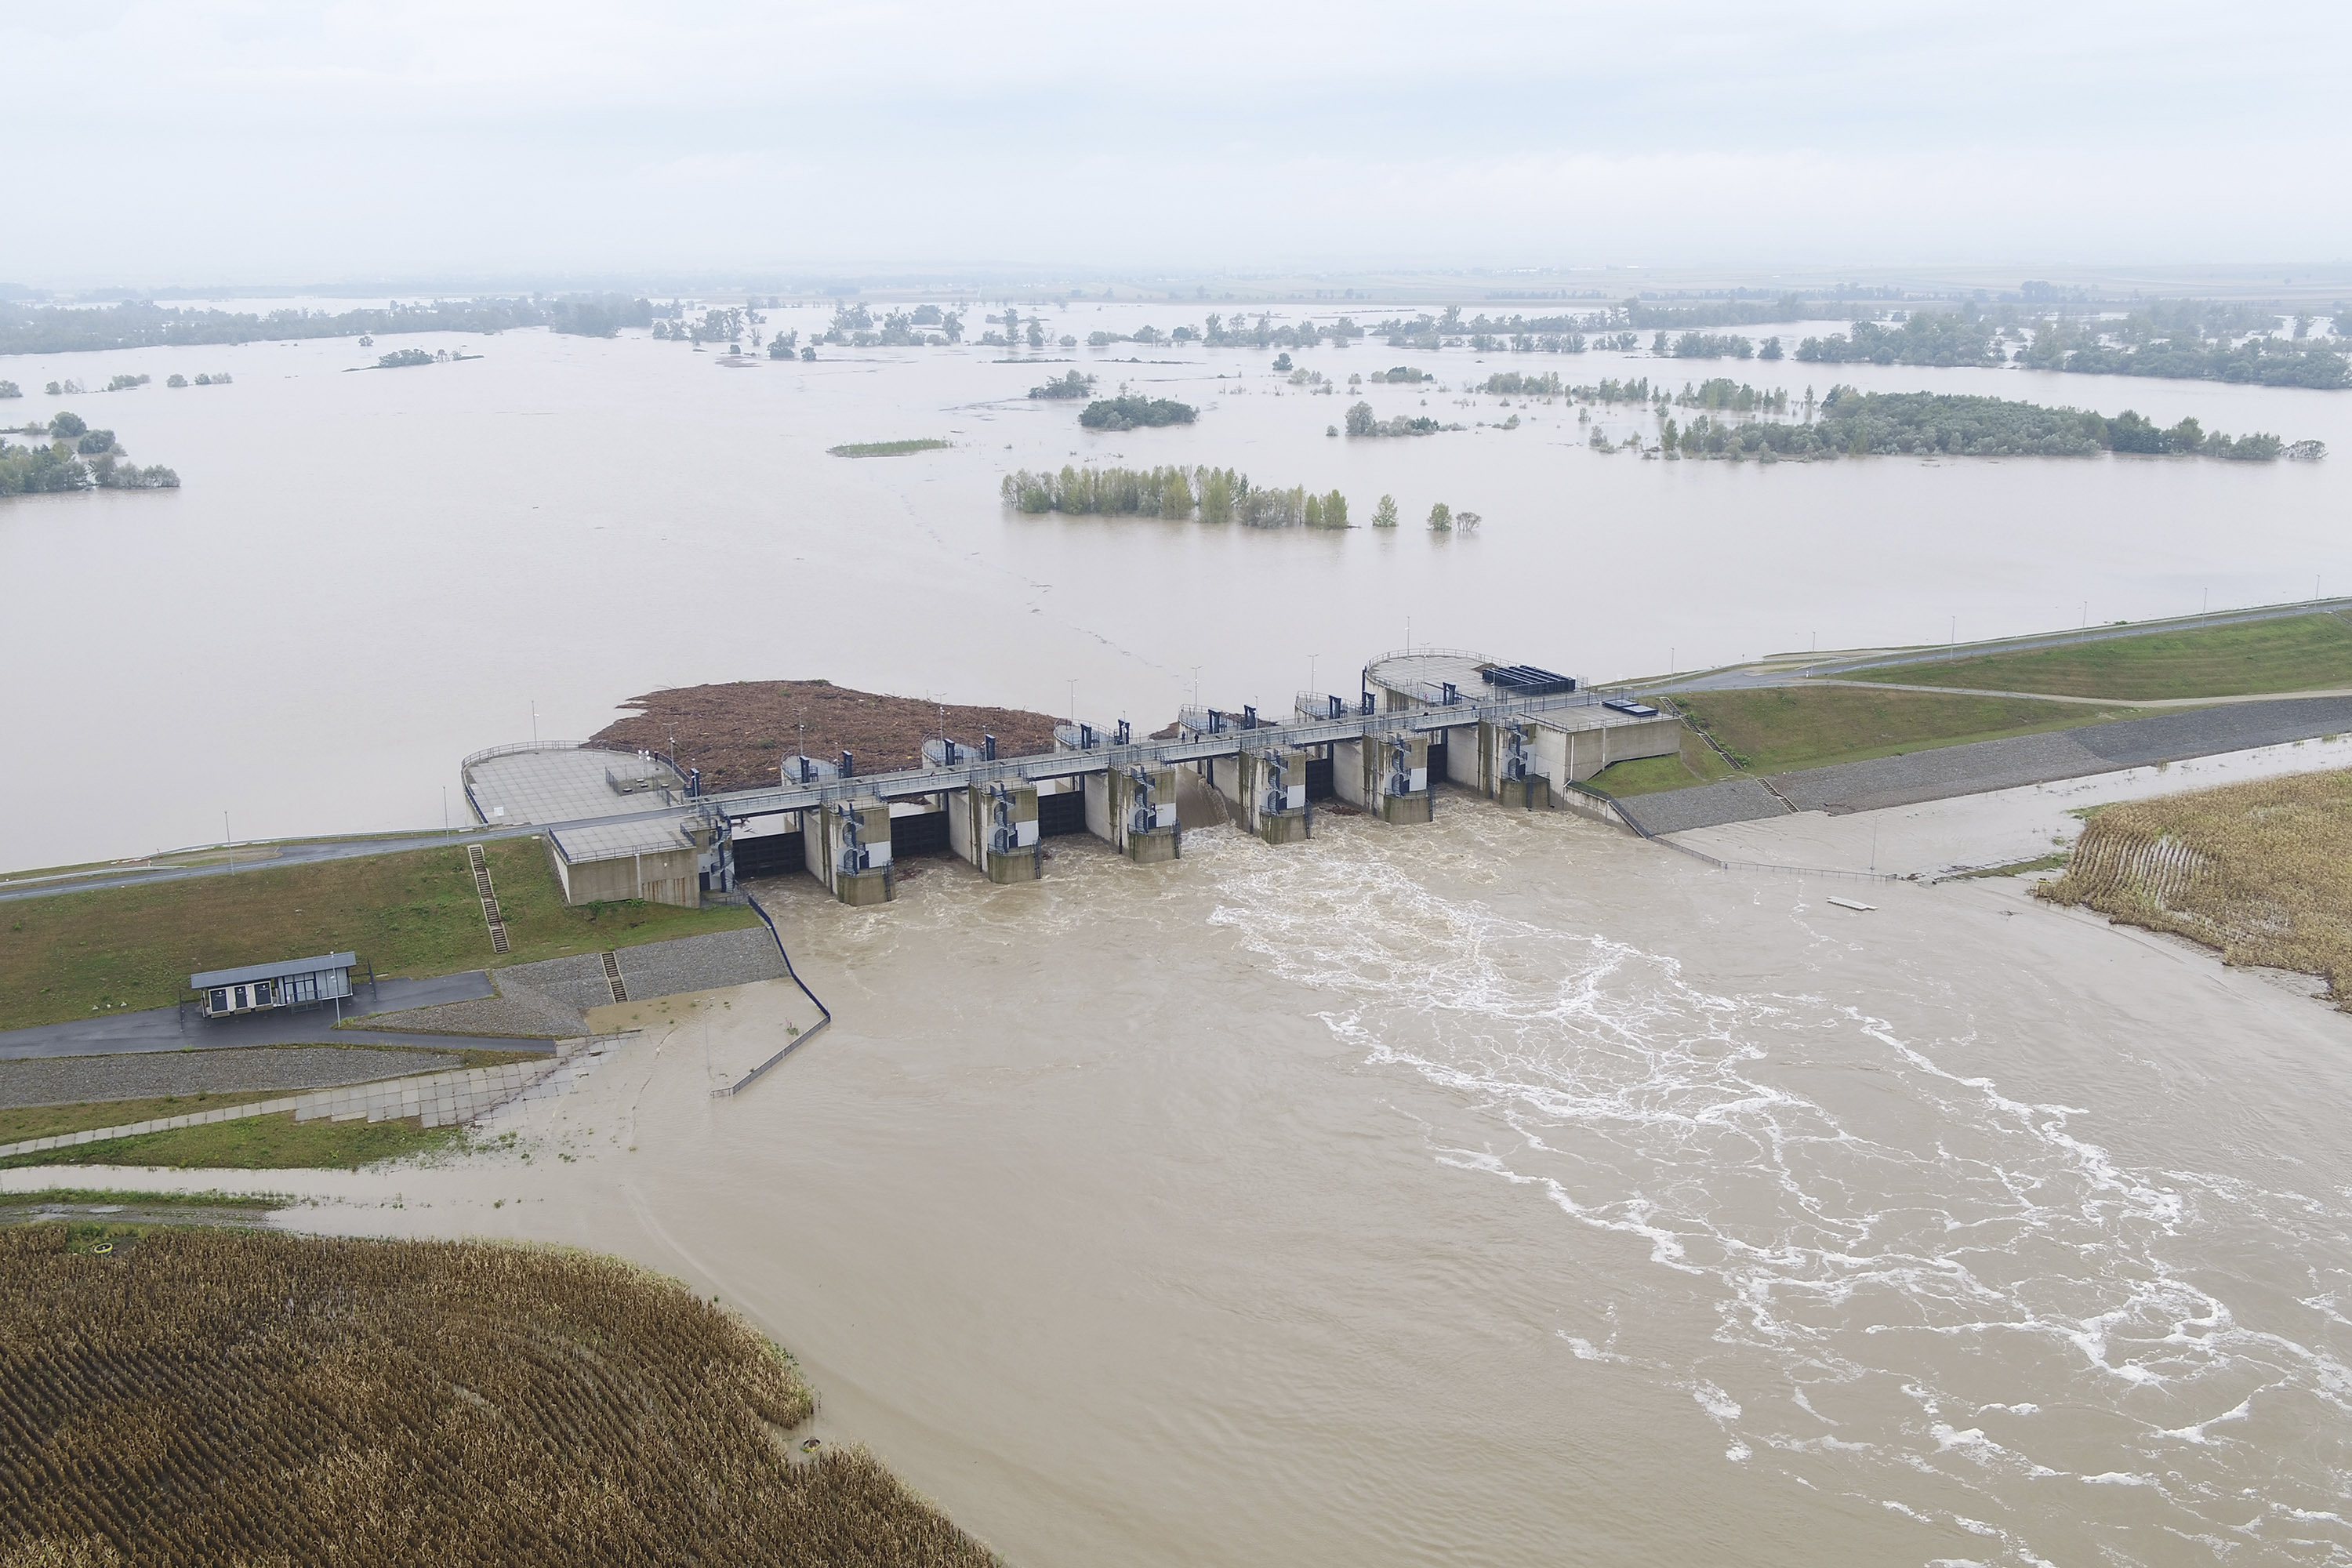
(373, 575)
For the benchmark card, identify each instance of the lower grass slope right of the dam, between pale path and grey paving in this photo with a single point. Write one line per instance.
(1808, 728)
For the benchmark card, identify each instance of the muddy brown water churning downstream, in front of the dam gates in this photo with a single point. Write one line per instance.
(1506, 1193)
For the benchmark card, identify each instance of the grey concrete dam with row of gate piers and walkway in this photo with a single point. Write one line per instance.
(636, 826)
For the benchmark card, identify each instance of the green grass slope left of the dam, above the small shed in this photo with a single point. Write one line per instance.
(415, 913)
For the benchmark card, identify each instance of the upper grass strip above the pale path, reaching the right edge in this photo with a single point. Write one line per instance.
(2292, 655)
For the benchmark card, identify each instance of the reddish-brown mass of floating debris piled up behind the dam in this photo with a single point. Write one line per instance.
(740, 732)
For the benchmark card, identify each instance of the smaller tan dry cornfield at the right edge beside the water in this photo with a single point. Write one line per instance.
(2261, 871)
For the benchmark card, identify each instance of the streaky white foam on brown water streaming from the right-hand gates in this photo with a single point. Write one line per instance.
(1895, 1275)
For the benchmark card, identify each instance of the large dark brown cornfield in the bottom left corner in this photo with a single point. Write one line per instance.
(265, 1400)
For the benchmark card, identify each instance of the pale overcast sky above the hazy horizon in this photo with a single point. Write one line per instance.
(262, 142)
